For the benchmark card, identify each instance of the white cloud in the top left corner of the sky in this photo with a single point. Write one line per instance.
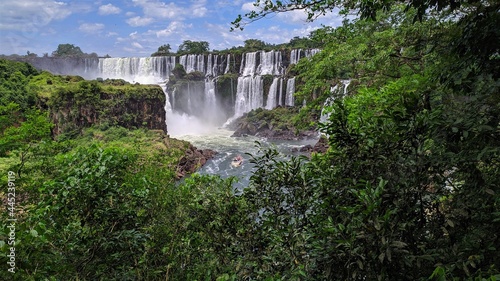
(29, 16)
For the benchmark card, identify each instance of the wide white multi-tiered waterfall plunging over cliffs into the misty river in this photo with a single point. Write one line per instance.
(233, 83)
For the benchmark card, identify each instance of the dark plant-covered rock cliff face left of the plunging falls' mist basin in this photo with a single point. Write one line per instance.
(129, 106)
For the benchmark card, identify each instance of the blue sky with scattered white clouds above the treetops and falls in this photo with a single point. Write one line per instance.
(135, 28)
